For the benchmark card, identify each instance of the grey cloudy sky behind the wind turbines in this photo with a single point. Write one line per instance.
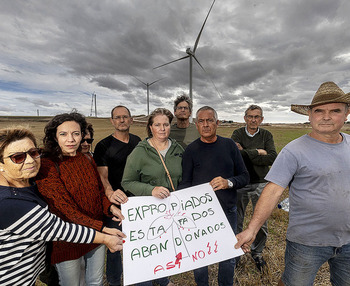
(55, 54)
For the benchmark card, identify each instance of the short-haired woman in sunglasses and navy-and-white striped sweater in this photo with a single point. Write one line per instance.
(26, 225)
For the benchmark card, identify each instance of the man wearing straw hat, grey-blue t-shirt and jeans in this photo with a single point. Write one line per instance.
(316, 168)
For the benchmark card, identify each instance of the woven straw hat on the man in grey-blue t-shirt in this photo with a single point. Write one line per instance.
(328, 92)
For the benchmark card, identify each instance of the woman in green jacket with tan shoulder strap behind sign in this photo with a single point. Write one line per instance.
(145, 174)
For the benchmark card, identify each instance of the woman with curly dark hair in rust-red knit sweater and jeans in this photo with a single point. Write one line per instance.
(69, 182)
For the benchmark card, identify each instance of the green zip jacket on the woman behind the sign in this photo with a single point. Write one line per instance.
(144, 169)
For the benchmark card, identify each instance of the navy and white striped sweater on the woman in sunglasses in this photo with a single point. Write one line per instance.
(25, 227)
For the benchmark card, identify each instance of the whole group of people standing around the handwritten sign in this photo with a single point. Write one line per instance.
(75, 195)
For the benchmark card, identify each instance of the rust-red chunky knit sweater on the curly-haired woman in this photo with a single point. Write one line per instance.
(73, 190)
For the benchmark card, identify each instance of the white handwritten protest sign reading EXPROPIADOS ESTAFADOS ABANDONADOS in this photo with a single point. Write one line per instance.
(186, 231)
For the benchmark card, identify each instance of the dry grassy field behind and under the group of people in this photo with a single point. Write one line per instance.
(246, 273)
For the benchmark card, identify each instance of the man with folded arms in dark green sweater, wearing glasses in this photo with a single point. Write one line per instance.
(258, 151)
